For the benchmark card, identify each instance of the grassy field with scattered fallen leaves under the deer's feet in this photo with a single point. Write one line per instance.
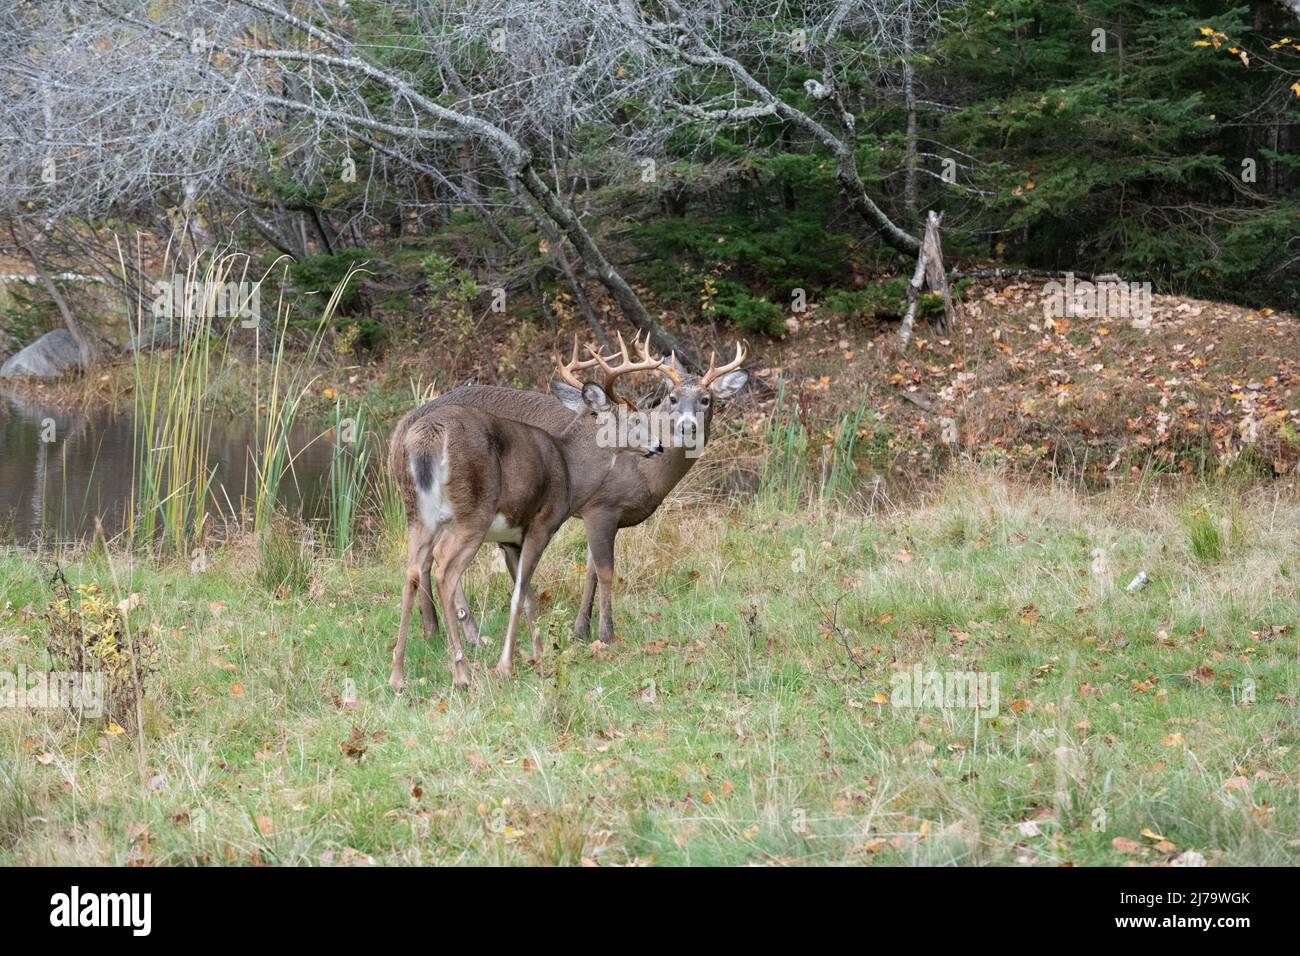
(749, 713)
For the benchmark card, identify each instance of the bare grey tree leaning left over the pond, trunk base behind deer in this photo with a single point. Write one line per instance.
(228, 84)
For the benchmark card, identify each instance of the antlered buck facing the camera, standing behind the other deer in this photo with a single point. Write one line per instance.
(627, 499)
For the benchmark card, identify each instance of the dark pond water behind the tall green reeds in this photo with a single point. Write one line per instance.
(63, 469)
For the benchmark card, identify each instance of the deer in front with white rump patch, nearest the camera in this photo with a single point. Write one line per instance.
(467, 477)
